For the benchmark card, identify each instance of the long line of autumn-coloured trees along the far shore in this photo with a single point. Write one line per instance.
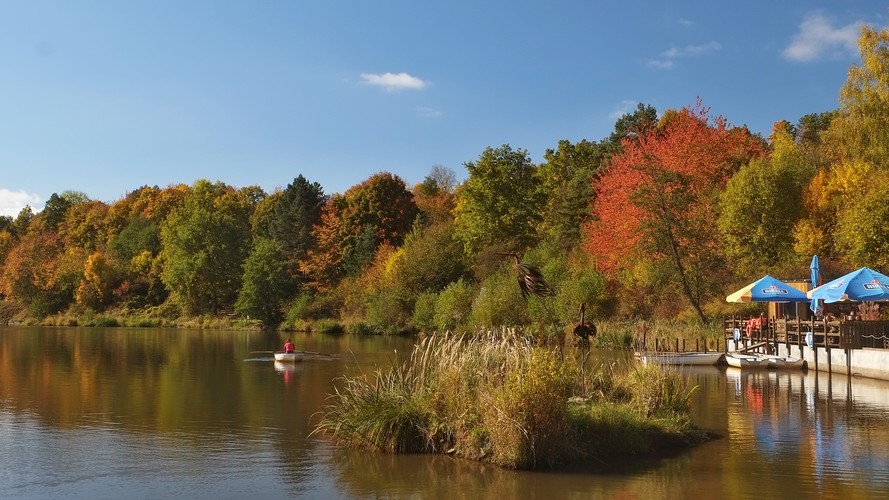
(662, 218)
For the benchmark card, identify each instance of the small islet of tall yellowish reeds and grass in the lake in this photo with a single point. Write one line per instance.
(500, 400)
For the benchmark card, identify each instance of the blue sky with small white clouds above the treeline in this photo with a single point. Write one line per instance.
(106, 96)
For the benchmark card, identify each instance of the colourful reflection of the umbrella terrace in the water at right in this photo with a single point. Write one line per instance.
(830, 431)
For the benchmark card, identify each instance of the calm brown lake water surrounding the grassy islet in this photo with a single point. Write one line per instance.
(154, 413)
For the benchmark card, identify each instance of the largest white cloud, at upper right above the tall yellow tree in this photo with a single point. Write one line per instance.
(817, 36)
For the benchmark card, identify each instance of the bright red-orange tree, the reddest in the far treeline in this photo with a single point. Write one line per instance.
(657, 201)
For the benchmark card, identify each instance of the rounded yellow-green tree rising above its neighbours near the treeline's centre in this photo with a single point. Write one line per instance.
(501, 201)
